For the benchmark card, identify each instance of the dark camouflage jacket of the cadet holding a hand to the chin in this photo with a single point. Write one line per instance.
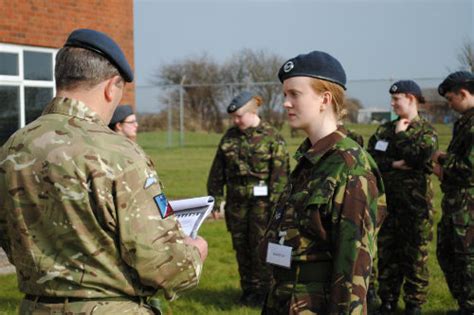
(415, 146)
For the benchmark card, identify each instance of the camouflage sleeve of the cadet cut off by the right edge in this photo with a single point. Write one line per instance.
(458, 166)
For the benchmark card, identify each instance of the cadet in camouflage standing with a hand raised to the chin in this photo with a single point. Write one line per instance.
(402, 149)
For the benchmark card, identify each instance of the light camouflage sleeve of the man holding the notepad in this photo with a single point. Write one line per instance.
(151, 240)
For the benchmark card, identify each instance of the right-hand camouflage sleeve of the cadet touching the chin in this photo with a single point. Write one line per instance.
(416, 150)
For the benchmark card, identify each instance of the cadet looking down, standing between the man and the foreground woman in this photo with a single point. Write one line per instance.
(252, 164)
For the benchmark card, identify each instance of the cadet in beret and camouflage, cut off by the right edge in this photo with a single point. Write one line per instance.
(455, 248)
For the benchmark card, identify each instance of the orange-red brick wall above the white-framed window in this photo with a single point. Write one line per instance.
(47, 23)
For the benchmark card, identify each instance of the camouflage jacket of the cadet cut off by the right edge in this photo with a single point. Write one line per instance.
(459, 162)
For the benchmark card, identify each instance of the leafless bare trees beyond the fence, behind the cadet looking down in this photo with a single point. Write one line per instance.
(209, 87)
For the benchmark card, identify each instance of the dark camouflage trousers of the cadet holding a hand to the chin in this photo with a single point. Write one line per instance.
(403, 244)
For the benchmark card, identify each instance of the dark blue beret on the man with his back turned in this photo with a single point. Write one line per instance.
(103, 45)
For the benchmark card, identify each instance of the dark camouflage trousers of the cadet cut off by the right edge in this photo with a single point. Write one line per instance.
(455, 245)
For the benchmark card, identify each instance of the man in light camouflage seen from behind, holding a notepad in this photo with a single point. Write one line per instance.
(82, 214)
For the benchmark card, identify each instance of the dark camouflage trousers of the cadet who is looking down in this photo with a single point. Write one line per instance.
(246, 221)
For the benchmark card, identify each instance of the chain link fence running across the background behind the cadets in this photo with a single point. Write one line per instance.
(192, 107)
